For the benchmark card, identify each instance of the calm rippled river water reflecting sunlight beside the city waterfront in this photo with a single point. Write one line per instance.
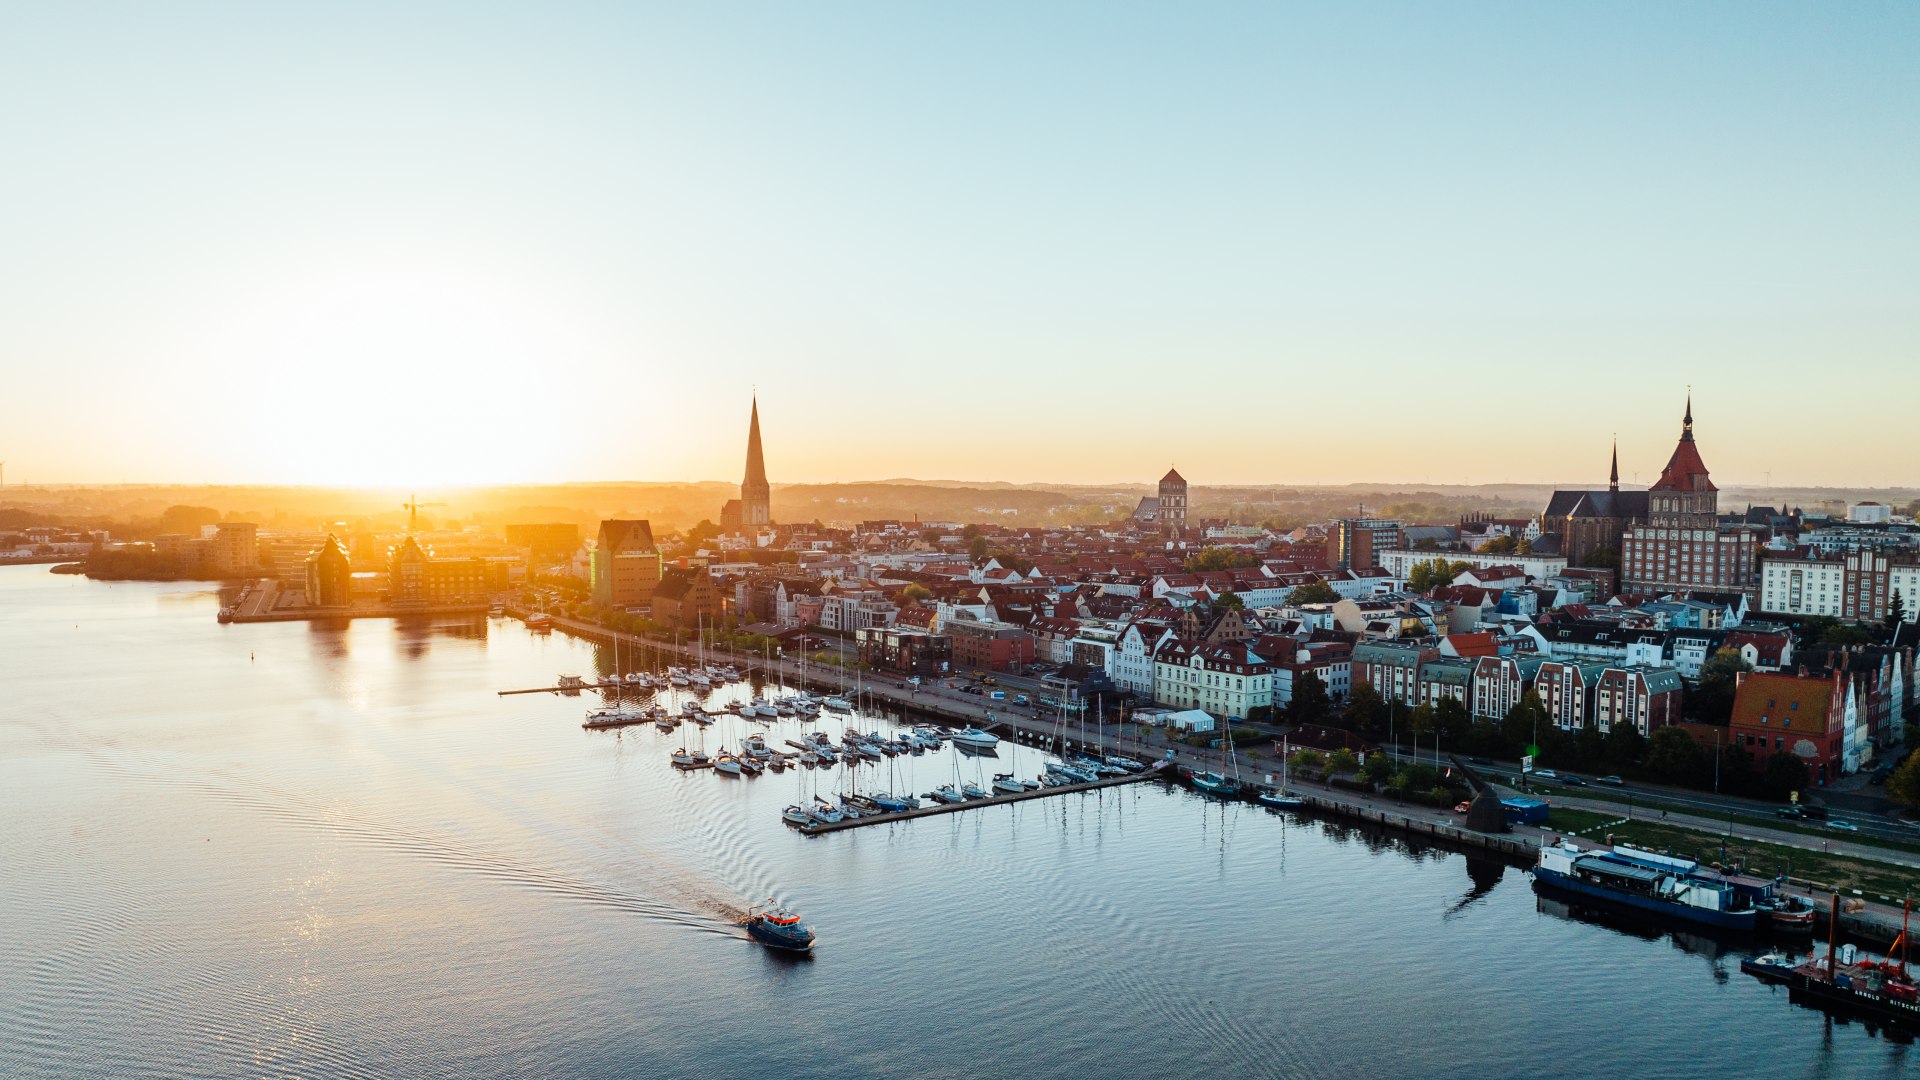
(335, 850)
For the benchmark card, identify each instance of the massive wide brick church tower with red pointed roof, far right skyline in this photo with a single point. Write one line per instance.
(1683, 545)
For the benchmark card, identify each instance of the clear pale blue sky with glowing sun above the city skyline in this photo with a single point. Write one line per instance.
(1393, 243)
